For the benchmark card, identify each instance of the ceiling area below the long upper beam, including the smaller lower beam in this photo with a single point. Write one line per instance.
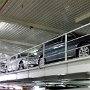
(15, 38)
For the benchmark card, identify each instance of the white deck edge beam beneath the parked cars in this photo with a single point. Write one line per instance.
(78, 65)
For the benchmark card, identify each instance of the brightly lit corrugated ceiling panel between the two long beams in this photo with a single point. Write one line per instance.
(23, 34)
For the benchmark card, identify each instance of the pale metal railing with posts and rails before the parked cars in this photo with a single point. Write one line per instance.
(65, 51)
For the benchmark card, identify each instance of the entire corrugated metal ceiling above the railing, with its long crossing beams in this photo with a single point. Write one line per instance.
(48, 18)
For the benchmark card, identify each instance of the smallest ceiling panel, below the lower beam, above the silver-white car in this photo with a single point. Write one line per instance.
(10, 49)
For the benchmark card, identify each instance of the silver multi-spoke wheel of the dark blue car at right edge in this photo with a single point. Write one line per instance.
(84, 50)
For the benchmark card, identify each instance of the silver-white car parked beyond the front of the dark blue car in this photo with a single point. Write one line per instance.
(22, 61)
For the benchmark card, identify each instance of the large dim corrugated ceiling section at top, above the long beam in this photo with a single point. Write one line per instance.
(58, 14)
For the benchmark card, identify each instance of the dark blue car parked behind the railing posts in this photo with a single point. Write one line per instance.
(55, 49)
